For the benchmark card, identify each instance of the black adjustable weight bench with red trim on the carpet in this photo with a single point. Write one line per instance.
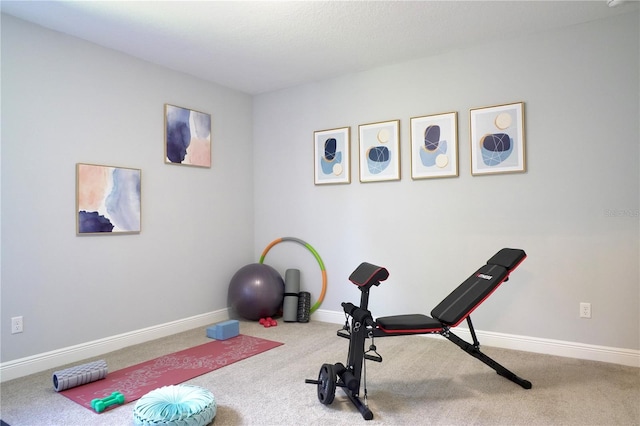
(449, 313)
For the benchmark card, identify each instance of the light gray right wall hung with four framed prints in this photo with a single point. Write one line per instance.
(581, 92)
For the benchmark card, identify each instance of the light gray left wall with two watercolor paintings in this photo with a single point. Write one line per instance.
(66, 101)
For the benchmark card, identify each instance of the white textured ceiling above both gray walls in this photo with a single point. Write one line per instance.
(263, 46)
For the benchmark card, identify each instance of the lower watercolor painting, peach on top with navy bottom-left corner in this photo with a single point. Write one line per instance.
(108, 199)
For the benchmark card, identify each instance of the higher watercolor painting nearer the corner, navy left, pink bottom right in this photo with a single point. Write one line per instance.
(187, 137)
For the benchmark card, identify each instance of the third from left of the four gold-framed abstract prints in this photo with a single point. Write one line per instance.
(434, 146)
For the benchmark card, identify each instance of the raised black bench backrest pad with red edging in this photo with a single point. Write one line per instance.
(464, 299)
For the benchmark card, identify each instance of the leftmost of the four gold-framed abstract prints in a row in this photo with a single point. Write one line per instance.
(331, 157)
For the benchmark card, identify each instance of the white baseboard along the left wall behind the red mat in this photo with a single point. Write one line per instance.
(33, 364)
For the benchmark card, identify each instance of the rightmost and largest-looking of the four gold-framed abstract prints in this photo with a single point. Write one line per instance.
(498, 139)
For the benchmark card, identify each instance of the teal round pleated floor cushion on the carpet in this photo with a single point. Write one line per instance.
(179, 405)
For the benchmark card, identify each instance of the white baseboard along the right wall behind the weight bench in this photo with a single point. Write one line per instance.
(628, 357)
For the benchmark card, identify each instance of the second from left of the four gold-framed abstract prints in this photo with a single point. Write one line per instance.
(379, 151)
